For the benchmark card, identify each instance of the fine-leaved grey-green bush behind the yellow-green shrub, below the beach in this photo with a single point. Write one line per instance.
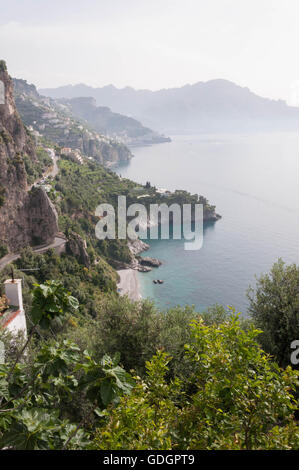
(135, 331)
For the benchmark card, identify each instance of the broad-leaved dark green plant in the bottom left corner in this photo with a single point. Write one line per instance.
(35, 395)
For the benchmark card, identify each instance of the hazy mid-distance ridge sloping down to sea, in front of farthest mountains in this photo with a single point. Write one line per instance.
(35, 109)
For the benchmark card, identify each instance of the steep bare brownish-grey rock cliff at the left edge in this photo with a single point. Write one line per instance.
(26, 218)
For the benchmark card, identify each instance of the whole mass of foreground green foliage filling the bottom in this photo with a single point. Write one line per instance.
(217, 389)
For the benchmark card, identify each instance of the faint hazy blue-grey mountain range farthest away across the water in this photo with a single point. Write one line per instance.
(213, 106)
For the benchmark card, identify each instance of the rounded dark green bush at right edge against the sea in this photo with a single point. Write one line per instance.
(274, 307)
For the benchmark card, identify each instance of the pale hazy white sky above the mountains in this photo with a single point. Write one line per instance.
(154, 43)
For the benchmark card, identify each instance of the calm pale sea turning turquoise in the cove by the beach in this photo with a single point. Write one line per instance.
(253, 181)
